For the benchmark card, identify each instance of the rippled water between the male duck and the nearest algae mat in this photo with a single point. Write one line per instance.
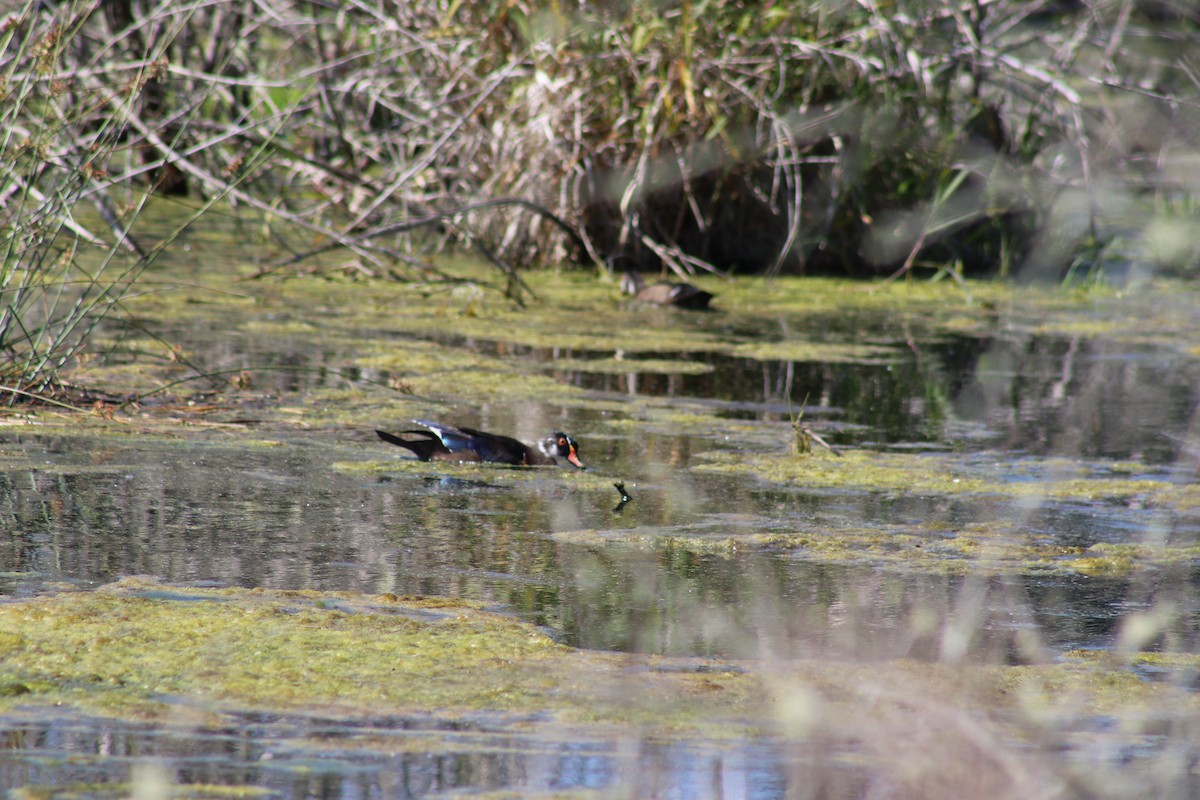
(285, 519)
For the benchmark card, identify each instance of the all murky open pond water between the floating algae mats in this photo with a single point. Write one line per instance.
(202, 508)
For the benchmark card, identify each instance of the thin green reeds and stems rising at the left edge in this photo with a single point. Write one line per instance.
(75, 173)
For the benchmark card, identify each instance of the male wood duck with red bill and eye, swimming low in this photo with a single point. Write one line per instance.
(451, 443)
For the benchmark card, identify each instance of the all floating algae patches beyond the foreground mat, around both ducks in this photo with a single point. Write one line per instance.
(431, 350)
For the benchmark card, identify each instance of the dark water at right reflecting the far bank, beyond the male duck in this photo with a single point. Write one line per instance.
(1041, 395)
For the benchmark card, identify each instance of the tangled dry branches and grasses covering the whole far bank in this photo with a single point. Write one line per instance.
(1033, 139)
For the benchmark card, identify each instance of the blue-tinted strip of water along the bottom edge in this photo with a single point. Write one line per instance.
(305, 759)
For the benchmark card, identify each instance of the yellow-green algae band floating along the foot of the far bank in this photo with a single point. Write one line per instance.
(428, 338)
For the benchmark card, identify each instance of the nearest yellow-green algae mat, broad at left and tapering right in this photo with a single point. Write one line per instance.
(143, 651)
